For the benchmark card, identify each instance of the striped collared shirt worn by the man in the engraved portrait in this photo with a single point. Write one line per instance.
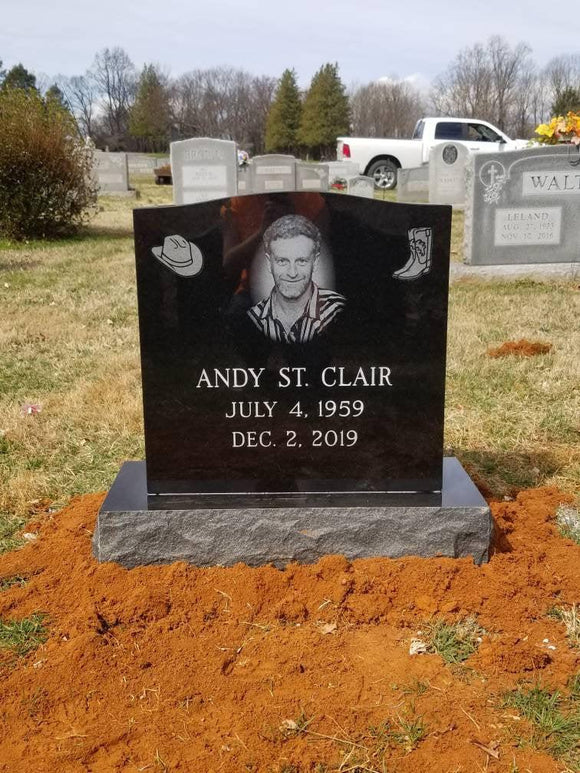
(322, 308)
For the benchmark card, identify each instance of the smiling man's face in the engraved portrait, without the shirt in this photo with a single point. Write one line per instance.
(292, 262)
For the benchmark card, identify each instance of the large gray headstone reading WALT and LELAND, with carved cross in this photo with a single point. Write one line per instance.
(523, 206)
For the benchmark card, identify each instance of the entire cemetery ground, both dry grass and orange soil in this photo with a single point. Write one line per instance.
(256, 669)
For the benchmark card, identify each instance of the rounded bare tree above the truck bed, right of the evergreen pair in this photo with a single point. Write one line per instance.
(386, 108)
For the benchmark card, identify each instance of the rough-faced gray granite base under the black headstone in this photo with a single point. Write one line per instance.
(130, 534)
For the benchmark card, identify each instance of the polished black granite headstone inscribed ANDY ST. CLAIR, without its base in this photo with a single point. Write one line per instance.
(293, 354)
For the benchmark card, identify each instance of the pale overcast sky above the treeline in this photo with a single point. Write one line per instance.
(369, 40)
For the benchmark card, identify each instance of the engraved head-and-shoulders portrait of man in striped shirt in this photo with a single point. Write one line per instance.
(297, 310)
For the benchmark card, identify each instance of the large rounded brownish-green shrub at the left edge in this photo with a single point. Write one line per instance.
(46, 183)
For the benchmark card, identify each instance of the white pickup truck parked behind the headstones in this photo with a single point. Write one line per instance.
(381, 158)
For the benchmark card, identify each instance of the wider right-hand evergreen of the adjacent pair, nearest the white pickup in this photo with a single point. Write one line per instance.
(325, 113)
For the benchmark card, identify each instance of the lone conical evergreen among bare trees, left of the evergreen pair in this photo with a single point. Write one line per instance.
(149, 116)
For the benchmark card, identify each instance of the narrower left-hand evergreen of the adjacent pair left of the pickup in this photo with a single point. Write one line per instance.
(284, 116)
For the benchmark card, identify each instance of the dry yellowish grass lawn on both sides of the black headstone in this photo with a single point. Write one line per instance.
(70, 402)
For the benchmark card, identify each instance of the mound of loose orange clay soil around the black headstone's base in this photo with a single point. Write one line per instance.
(177, 668)
